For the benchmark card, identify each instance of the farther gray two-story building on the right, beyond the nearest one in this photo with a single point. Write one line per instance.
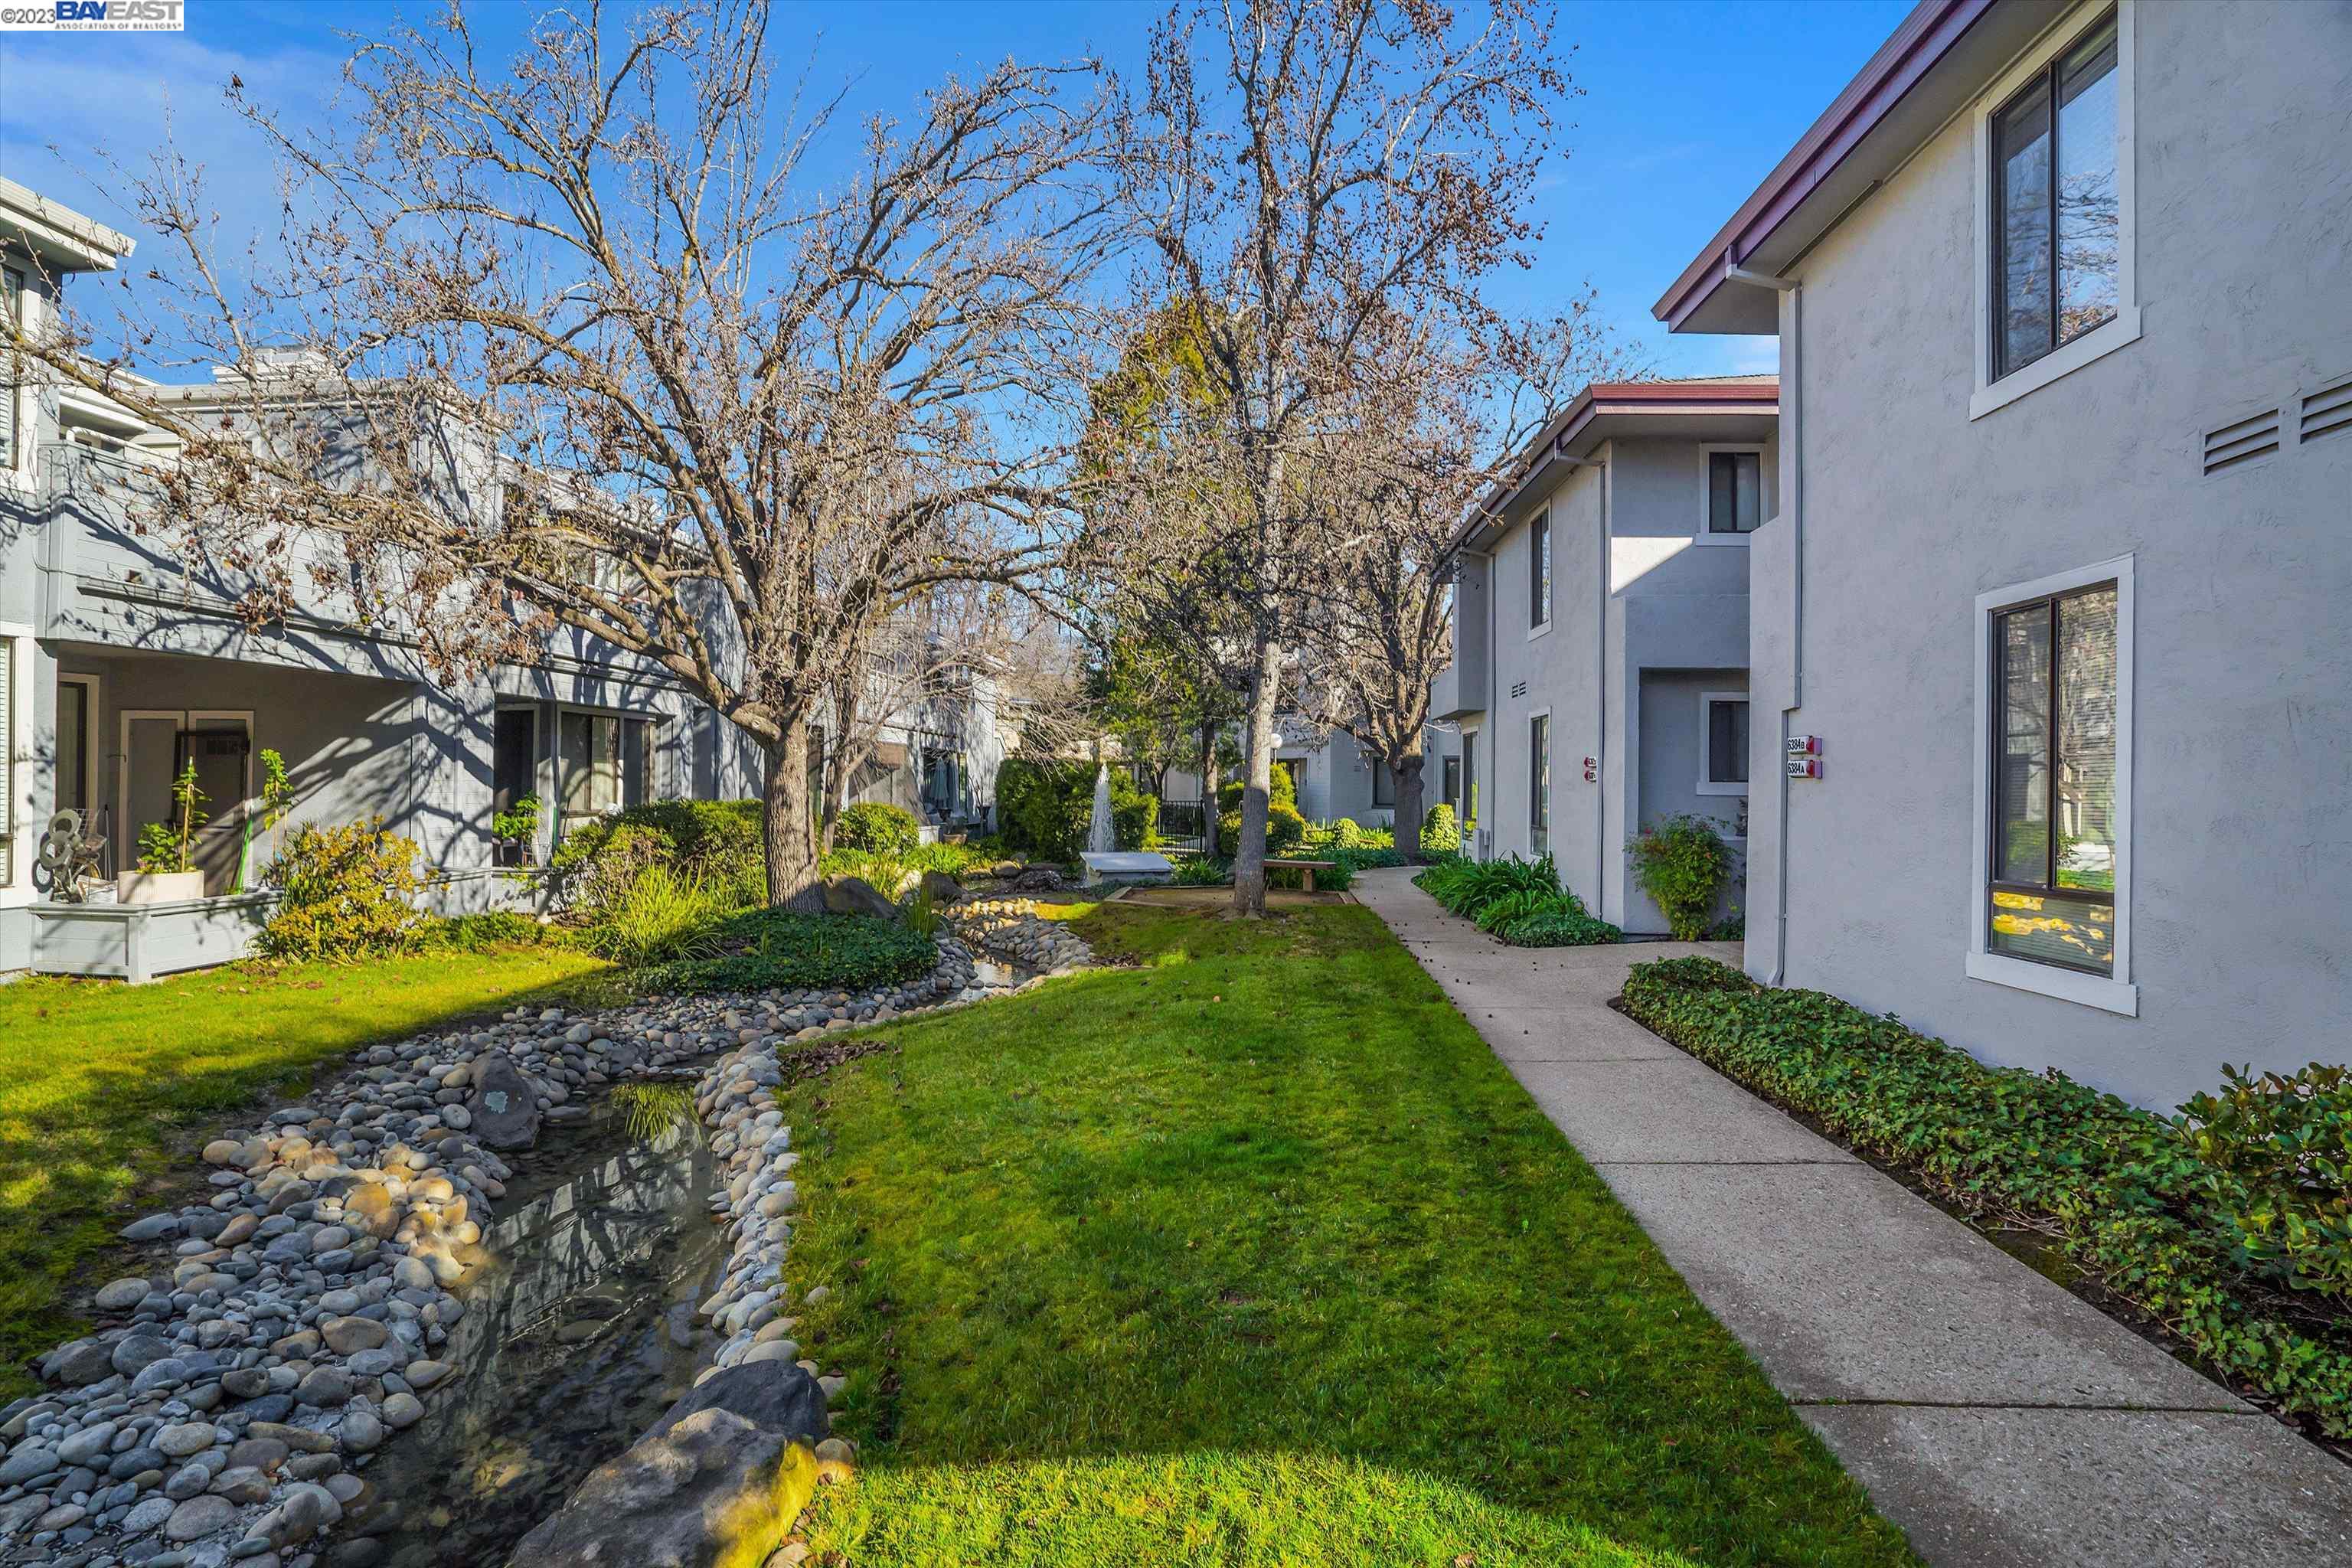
(1601, 634)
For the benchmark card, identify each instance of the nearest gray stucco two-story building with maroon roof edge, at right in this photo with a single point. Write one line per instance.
(2059, 575)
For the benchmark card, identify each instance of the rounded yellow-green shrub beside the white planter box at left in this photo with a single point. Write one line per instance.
(347, 892)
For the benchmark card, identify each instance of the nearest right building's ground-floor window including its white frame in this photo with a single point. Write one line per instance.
(2054, 789)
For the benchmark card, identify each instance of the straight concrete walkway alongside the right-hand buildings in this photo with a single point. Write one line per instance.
(1991, 1414)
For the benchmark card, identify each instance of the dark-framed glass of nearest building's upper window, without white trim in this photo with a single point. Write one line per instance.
(2057, 236)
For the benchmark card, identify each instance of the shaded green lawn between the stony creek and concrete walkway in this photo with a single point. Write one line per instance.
(1257, 1257)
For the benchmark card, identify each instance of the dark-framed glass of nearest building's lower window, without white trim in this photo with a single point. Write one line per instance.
(2054, 768)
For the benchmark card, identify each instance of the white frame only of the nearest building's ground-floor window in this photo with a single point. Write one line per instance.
(2109, 993)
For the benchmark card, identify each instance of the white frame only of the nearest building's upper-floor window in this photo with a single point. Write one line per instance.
(2125, 328)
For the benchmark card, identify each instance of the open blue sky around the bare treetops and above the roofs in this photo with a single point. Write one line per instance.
(1685, 107)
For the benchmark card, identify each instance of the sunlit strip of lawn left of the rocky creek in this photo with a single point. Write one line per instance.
(107, 1090)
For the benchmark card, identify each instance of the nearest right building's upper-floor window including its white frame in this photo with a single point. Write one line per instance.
(2054, 208)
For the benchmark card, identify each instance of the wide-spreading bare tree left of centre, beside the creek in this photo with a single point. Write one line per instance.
(742, 422)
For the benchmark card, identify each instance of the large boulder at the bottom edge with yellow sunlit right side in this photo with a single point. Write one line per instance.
(728, 1463)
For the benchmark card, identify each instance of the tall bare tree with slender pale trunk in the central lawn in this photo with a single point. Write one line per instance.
(1307, 168)
